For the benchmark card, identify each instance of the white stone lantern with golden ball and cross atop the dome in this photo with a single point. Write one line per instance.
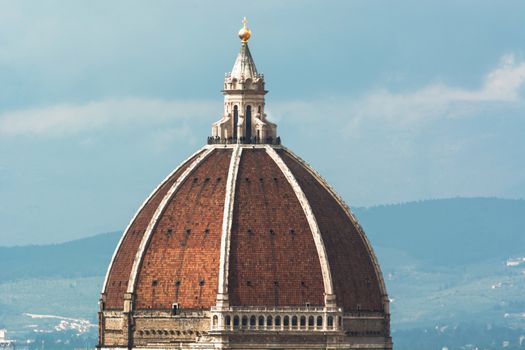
(244, 120)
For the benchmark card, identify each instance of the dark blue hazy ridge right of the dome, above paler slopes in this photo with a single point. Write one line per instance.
(448, 231)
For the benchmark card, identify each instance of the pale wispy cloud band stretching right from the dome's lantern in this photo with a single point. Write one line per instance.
(409, 110)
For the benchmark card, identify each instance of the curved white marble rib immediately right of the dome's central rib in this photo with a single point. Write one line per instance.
(312, 222)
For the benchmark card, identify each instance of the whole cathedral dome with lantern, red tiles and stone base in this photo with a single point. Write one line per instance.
(244, 246)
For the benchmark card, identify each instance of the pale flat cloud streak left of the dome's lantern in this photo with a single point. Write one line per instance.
(67, 119)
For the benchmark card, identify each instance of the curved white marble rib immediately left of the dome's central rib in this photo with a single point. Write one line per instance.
(156, 216)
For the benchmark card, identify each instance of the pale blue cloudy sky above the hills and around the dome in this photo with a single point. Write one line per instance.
(391, 101)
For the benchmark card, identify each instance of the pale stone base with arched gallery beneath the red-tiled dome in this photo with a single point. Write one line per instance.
(248, 328)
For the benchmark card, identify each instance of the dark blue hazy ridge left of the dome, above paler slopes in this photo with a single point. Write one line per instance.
(80, 258)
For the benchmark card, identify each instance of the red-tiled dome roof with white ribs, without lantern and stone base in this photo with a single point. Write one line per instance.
(252, 225)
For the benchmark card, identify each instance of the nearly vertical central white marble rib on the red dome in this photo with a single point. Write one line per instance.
(222, 291)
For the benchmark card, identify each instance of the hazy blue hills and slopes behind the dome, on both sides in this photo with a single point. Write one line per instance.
(454, 268)
